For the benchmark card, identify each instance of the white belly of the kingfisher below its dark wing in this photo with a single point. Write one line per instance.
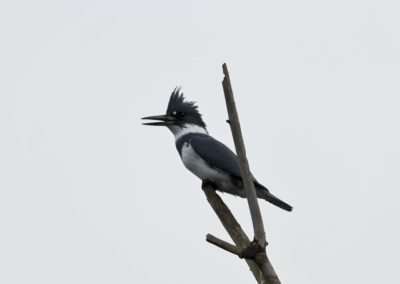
(199, 167)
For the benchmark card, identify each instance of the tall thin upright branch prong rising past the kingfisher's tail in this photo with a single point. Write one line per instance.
(258, 226)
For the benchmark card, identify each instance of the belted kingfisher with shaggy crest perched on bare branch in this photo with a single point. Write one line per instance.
(204, 156)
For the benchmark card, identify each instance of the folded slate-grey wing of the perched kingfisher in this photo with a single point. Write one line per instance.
(216, 154)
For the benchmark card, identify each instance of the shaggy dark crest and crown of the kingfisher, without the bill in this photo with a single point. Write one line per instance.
(186, 112)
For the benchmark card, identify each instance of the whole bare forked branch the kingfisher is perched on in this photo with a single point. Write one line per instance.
(254, 252)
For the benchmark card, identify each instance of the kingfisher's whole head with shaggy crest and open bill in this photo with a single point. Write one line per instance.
(180, 115)
